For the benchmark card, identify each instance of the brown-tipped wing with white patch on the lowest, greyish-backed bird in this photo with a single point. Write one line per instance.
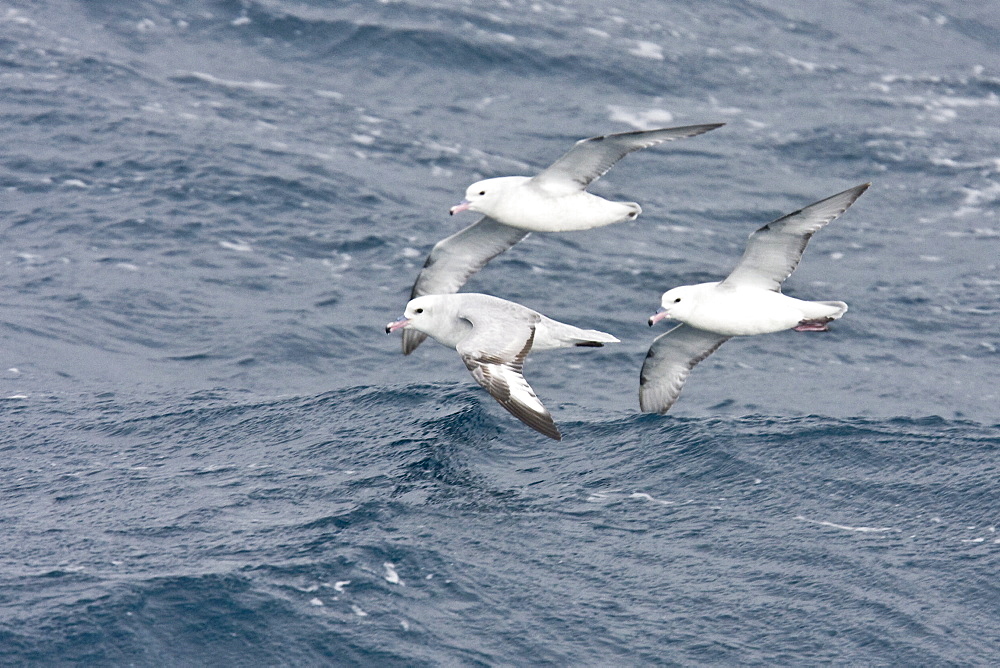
(499, 371)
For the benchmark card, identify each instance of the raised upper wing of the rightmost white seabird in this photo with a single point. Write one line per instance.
(774, 250)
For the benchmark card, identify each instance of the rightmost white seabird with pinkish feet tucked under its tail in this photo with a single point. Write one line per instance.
(747, 302)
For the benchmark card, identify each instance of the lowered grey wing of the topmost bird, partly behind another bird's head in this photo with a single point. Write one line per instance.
(454, 259)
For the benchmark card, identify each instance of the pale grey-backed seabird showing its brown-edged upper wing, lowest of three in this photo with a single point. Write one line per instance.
(493, 336)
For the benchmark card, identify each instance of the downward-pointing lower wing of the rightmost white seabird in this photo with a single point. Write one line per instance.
(668, 363)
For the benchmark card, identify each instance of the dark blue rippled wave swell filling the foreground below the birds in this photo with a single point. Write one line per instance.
(410, 524)
